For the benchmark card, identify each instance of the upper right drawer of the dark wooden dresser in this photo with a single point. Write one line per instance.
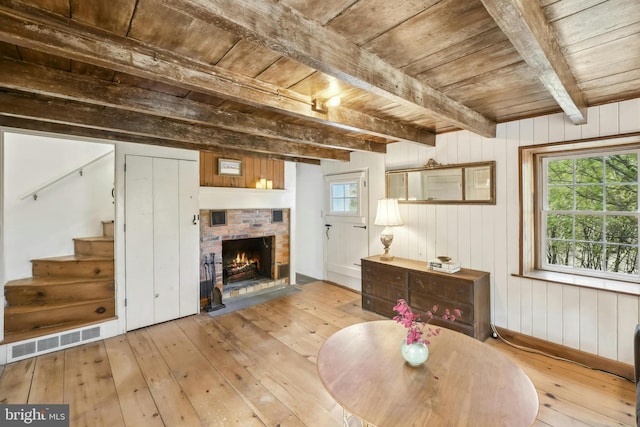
(452, 288)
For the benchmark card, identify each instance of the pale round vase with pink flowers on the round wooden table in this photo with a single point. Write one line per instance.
(415, 348)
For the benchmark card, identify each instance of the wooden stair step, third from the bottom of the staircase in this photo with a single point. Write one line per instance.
(74, 265)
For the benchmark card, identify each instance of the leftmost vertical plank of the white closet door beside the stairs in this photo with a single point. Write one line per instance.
(139, 235)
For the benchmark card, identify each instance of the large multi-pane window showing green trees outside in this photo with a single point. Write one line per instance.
(589, 214)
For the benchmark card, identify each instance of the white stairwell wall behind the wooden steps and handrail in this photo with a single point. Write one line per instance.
(73, 207)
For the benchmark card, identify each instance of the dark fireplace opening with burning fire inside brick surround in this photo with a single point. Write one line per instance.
(247, 259)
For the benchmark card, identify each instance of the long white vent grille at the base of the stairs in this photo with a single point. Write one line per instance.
(51, 343)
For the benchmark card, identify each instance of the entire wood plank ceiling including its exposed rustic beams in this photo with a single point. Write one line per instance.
(242, 77)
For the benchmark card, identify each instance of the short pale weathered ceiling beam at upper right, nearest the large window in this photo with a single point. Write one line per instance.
(524, 23)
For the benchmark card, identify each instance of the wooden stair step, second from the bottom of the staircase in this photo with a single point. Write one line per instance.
(38, 290)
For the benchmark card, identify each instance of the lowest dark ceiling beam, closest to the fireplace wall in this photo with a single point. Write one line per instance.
(63, 129)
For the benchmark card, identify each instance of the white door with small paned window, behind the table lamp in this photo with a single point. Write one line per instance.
(346, 227)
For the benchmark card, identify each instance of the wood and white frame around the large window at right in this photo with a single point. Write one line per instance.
(529, 158)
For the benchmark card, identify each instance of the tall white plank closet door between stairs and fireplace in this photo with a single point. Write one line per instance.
(161, 233)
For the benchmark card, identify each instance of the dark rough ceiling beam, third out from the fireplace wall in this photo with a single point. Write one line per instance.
(49, 82)
